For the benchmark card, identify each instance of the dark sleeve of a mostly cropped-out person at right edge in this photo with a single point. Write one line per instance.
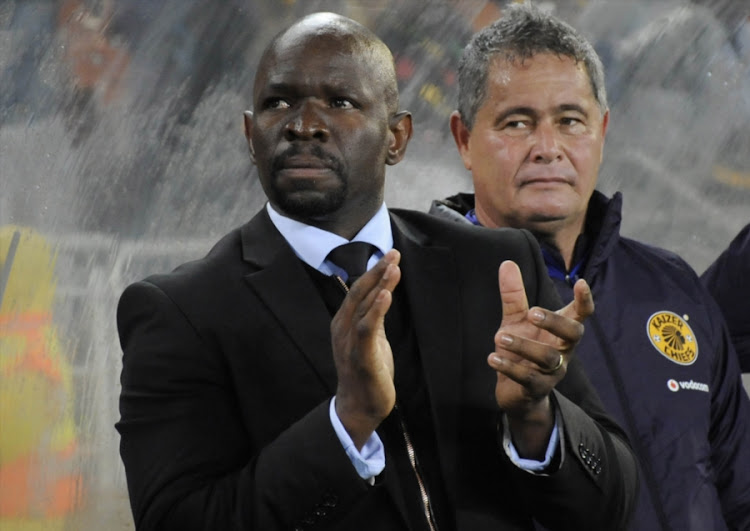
(728, 280)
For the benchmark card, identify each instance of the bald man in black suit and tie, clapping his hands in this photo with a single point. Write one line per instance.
(260, 390)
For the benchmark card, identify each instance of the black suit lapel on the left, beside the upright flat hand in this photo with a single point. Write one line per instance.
(286, 289)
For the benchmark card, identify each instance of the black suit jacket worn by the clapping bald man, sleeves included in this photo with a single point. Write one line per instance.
(228, 373)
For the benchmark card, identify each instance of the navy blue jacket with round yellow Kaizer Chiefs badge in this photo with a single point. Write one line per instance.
(658, 352)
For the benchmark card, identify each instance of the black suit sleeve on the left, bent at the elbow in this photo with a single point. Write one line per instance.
(188, 458)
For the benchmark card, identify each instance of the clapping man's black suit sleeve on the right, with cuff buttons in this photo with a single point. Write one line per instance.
(596, 485)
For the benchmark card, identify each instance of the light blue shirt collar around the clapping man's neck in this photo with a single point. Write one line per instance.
(312, 244)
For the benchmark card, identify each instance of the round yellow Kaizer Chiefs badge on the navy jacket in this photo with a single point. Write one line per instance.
(672, 336)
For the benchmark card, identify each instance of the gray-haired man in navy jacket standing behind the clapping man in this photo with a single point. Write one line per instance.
(530, 127)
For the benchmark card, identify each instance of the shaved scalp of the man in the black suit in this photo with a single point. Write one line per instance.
(349, 36)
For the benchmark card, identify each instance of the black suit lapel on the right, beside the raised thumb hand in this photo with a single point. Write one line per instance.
(429, 275)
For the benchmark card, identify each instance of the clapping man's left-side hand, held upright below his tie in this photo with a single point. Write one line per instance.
(365, 394)
